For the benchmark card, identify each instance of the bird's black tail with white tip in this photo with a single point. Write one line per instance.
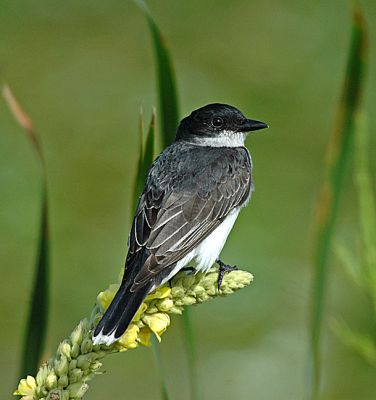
(119, 315)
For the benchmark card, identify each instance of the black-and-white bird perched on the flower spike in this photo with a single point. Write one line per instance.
(193, 194)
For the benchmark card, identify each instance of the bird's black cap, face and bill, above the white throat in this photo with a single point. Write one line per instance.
(214, 120)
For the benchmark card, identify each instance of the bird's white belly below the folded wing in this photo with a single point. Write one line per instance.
(207, 252)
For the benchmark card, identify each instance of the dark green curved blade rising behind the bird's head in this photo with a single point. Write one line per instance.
(168, 103)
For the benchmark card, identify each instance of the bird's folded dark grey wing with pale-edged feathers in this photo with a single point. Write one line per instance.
(172, 219)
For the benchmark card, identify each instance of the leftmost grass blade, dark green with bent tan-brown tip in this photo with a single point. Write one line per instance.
(36, 327)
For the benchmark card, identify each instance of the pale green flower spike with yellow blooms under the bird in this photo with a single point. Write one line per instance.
(76, 361)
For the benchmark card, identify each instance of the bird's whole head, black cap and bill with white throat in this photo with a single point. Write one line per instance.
(219, 125)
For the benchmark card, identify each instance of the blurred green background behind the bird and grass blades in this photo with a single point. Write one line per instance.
(82, 70)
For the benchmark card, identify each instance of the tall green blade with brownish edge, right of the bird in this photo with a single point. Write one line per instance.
(328, 205)
